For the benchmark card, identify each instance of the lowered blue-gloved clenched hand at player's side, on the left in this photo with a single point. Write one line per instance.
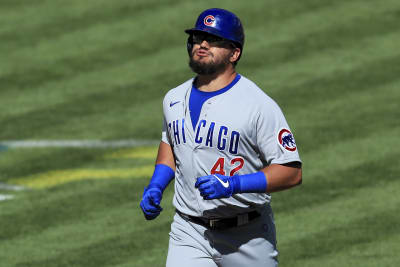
(150, 203)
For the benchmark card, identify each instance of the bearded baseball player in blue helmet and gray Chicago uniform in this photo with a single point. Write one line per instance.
(228, 146)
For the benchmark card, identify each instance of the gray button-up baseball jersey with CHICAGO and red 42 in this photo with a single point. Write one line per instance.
(239, 131)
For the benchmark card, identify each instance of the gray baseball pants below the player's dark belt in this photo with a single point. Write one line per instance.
(252, 244)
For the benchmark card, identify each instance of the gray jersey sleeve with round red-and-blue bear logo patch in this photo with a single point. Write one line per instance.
(275, 140)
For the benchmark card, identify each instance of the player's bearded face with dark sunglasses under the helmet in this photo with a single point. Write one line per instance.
(210, 54)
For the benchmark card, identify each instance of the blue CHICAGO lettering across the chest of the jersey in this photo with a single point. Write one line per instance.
(206, 134)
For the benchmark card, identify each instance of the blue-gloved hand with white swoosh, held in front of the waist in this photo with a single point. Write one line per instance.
(215, 186)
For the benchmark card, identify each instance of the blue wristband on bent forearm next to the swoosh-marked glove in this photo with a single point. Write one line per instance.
(250, 183)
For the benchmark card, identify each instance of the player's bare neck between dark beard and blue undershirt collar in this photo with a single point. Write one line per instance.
(211, 83)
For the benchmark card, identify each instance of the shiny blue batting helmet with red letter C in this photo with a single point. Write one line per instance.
(219, 22)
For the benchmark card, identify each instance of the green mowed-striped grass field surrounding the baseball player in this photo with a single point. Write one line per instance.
(98, 70)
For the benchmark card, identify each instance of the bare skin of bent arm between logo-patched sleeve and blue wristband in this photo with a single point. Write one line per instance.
(281, 177)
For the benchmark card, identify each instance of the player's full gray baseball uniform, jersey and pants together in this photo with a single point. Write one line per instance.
(239, 131)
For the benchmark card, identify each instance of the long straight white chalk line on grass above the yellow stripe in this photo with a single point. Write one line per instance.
(76, 143)
